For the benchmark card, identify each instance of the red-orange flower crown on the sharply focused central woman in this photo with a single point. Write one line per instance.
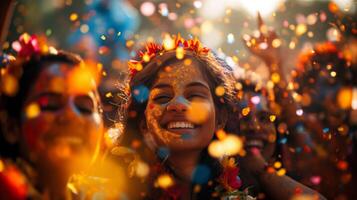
(176, 43)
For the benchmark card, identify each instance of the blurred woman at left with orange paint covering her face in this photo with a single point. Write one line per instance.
(56, 126)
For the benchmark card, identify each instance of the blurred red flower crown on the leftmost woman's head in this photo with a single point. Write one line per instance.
(11, 66)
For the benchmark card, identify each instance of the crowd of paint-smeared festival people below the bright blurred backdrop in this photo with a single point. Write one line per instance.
(190, 127)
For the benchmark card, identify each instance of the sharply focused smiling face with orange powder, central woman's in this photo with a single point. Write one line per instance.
(169, 110)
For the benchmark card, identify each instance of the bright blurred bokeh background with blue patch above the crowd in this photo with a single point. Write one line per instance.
(110, 31)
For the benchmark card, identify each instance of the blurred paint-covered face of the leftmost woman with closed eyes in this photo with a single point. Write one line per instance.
(61, 127)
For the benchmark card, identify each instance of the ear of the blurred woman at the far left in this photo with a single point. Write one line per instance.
(11, 131)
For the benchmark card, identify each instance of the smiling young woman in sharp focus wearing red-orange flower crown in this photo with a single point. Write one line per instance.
(175, 111)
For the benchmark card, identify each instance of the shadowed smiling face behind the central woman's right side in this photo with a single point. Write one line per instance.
(259, 131)
